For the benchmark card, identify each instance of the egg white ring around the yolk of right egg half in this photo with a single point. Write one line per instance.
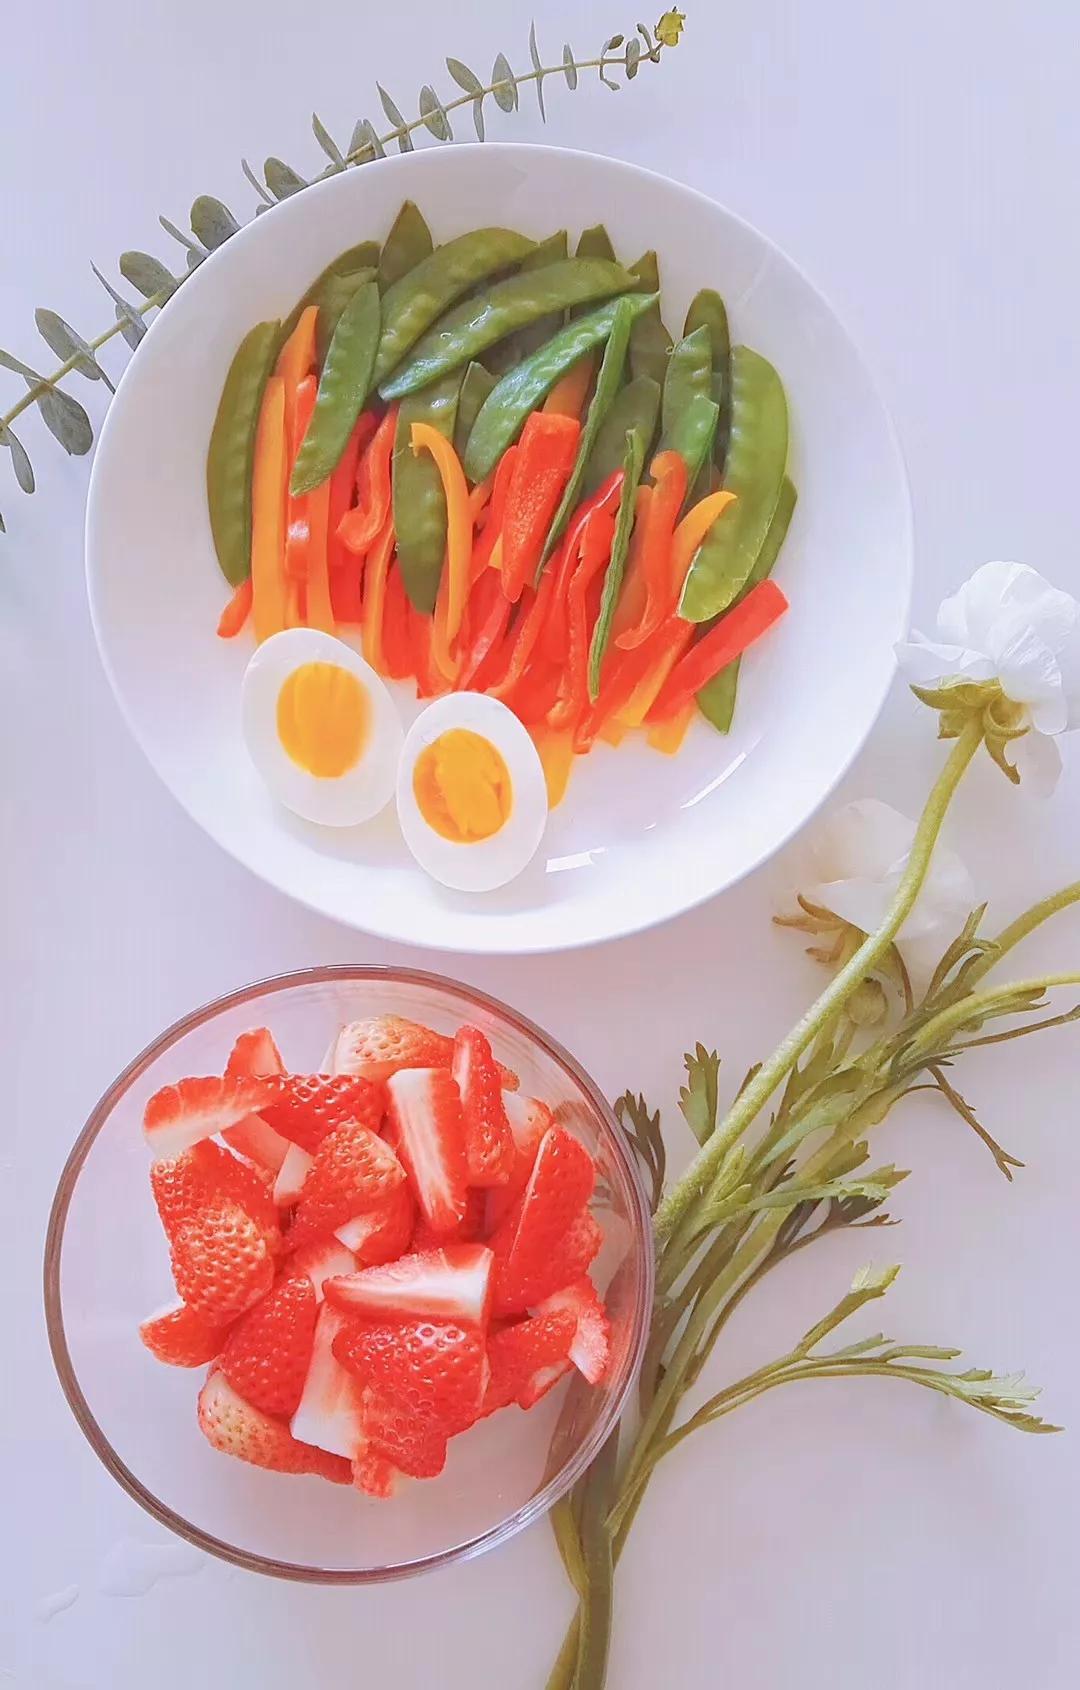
(491, 863)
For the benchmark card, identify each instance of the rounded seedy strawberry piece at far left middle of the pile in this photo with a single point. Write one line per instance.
(221, 1262)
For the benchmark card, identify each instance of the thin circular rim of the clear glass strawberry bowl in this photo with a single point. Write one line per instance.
(554, 1490)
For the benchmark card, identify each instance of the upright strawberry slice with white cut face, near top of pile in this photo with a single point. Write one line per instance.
(427, 1123)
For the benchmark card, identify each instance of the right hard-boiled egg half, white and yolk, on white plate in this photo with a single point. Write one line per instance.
(471, 793)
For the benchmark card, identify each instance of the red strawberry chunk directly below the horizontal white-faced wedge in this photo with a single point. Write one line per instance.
(430, 1368)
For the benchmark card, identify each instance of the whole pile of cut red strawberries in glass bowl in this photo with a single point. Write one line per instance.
(376, 1258)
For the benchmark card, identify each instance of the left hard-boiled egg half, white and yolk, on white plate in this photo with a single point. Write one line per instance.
(320, 728)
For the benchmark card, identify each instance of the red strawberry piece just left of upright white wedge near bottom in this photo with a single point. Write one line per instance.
(268, 1351)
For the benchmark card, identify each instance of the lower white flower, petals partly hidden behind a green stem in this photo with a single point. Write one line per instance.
(859, 856)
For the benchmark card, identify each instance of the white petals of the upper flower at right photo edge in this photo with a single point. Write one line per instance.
(1008, 624)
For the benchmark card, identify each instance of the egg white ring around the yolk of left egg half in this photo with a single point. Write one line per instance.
(344, 800)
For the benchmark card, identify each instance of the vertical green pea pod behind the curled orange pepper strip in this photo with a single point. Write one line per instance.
(420, 504)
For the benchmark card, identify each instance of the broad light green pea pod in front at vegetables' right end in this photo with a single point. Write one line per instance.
(756, 462)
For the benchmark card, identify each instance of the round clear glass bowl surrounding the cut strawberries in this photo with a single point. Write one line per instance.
(107, 1268)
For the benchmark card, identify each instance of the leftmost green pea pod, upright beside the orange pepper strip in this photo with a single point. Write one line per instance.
(232, 450)
